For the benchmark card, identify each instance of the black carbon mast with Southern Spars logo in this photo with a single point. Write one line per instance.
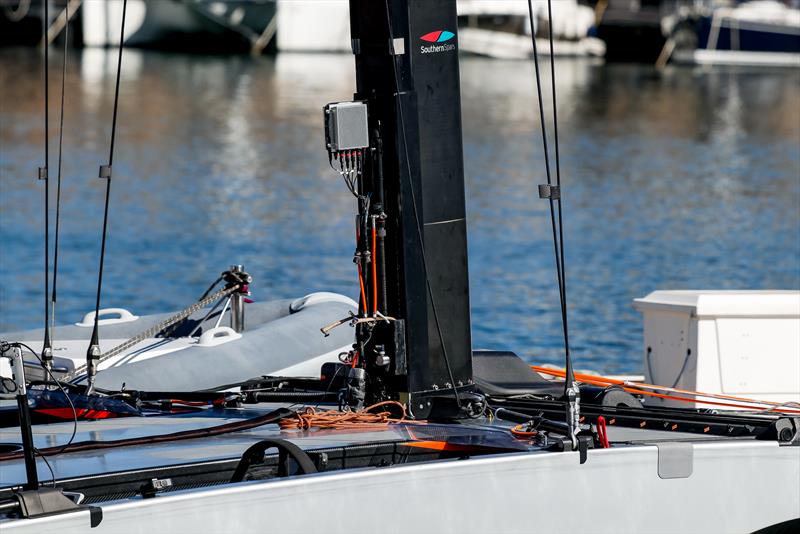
(407, 72)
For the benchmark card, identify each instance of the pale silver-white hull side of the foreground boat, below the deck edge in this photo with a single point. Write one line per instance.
(733, 487)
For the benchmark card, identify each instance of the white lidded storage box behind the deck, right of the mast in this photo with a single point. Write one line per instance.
(744, 343)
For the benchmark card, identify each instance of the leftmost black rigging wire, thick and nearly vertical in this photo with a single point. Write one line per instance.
(47, 353)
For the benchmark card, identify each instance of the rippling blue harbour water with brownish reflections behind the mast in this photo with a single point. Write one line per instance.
(686, 179)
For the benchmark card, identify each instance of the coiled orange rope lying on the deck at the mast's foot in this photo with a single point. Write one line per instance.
(363, 419)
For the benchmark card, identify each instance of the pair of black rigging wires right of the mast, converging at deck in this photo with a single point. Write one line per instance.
(558, 228)
